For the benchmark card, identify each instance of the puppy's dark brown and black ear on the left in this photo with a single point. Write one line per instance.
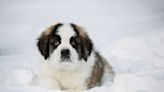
(44, 40)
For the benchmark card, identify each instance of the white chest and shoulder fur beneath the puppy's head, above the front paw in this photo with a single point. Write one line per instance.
(69, 79)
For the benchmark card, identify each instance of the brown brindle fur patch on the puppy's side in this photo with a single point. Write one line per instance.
(97, 72)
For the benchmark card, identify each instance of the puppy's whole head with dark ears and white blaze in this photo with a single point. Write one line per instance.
(65, 44)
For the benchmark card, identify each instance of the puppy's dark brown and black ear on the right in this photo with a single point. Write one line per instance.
(86, 42)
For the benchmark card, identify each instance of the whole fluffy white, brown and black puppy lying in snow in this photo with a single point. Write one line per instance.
(71, 61)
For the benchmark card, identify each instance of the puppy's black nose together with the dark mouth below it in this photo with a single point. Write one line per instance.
(65, 55)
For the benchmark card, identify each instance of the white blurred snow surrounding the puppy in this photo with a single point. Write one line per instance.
(129, 33)
